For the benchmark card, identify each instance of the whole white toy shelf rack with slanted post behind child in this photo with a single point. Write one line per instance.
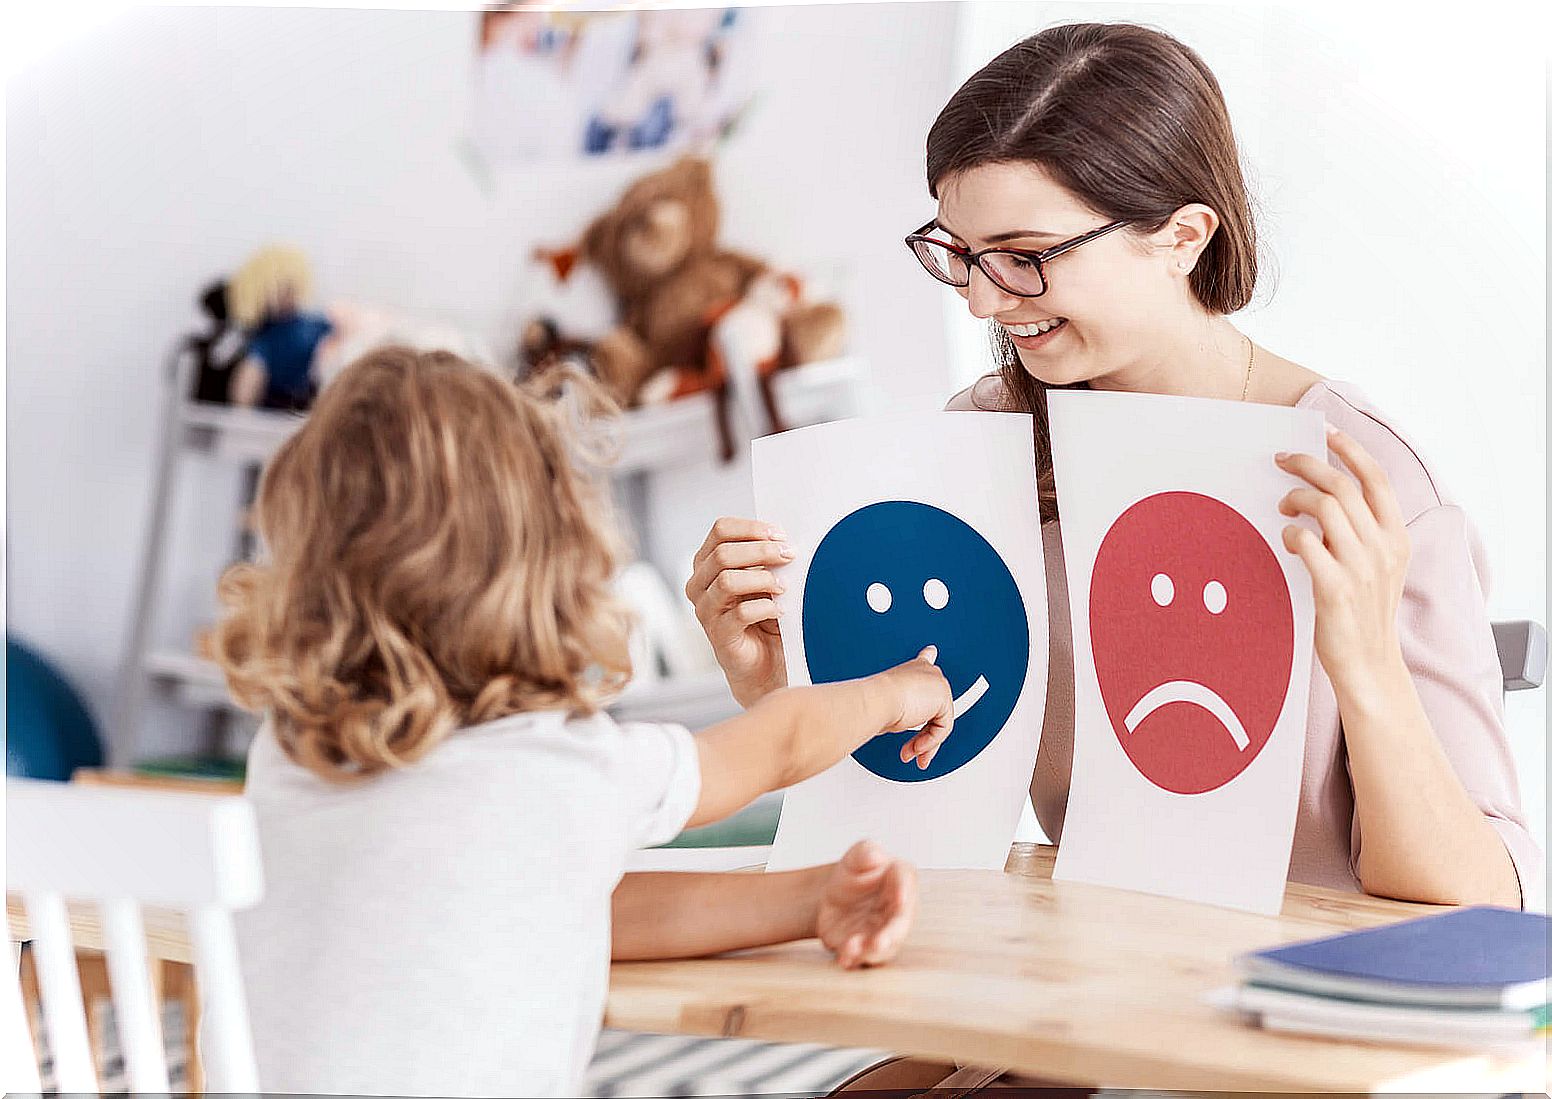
(651, 440)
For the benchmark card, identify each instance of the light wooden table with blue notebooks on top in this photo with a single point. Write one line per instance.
(1073, 983)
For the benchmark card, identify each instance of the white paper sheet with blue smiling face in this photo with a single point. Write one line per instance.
(912, 532)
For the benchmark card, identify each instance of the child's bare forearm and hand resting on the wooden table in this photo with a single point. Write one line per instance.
(859, 907)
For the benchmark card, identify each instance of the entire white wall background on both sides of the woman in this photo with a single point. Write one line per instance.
(159, 148)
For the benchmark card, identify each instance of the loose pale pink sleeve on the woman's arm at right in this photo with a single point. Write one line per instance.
(1449, 648)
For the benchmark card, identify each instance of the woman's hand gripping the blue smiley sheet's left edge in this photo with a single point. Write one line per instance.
(735, 595)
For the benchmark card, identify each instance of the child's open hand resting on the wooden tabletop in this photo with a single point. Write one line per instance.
(867, 906)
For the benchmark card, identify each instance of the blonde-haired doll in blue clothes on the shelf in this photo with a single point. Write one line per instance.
(268, 297)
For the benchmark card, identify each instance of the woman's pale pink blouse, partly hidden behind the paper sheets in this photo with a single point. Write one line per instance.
(1447, 642)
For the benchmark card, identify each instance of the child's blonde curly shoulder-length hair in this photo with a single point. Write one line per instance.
(437, 558)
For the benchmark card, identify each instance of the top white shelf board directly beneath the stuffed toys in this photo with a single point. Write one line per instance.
(676, 434)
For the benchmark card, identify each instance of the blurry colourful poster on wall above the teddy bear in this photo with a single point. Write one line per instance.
(556, 85)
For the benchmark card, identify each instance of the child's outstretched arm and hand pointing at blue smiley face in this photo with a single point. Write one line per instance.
(795, 733)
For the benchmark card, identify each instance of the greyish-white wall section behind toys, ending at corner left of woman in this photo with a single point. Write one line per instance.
(159, 148)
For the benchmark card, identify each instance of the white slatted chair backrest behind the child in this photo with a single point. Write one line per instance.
(123, 850)
